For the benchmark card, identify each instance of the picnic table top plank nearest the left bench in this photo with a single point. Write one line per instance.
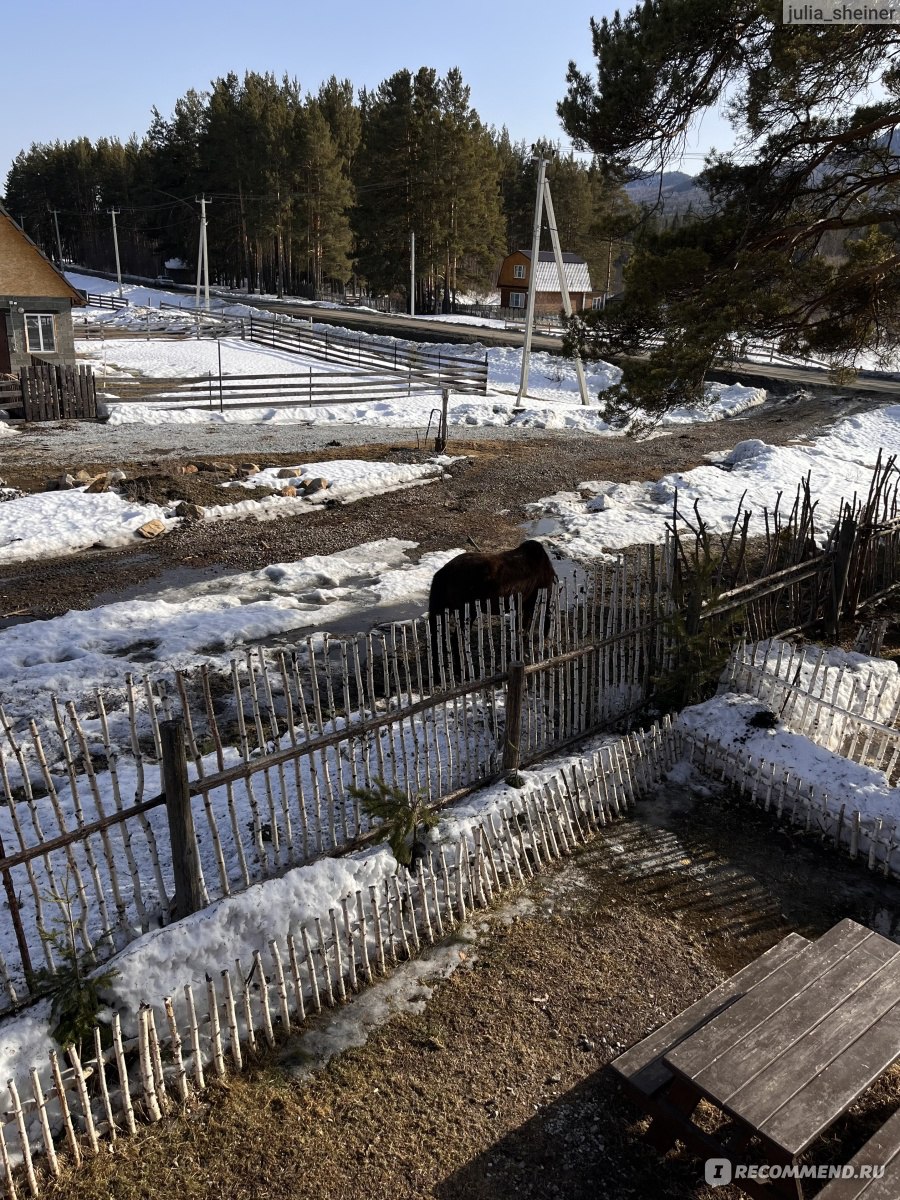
(723, 1034)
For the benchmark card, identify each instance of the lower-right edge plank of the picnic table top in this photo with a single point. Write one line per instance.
(813, 1108)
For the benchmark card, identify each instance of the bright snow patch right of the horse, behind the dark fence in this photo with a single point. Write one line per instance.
(604, 515)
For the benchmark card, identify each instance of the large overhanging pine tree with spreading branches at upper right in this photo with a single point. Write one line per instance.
(814, 163)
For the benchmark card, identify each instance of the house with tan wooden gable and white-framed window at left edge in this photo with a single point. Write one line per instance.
(35, 304)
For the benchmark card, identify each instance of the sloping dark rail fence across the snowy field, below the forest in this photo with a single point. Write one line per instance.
(439, 368)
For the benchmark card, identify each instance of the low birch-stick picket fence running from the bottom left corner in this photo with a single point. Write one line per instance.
(68, 1108)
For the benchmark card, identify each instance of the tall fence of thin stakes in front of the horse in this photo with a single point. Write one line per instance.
(275, 742)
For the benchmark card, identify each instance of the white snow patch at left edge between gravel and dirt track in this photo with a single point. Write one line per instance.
(51, 524)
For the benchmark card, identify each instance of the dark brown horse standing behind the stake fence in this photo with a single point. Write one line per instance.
(490, 579)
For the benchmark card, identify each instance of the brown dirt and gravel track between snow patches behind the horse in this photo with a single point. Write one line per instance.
(483, 502)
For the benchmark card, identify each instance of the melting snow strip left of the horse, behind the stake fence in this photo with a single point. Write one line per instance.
(81, 652)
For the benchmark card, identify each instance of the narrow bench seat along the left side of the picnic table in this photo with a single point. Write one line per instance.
(643, 1065)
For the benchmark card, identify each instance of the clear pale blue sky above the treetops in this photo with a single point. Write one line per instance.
(97, 70)
